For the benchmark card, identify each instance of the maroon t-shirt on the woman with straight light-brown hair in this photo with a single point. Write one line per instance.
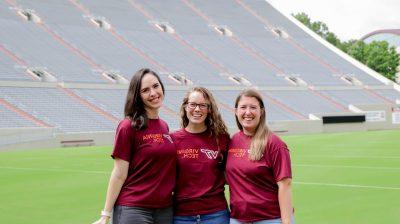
(253, 184)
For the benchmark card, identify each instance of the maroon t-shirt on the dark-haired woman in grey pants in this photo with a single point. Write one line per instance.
(152, 164)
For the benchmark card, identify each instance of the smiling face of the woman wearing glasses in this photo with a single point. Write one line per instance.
(197, 108)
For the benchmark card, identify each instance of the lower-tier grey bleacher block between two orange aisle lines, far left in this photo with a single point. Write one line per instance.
(57, 109)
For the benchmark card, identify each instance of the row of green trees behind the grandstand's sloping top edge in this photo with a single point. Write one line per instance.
(376, 55)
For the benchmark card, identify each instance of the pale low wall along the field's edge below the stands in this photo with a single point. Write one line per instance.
(41, 138)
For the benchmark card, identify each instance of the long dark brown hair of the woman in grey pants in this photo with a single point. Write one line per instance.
(134, 106)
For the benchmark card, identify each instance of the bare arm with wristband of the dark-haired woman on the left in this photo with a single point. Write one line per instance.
(117, 179)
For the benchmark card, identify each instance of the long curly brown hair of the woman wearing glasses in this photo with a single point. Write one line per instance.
(214, 123)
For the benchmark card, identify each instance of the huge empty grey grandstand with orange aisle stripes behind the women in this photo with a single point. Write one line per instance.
(66, 65)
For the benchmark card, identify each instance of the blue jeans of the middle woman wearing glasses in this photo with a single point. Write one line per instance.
(220, 217)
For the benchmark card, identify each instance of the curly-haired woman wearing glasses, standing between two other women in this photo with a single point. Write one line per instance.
(201, 146)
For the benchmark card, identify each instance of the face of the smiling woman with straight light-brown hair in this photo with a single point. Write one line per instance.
(248, 113)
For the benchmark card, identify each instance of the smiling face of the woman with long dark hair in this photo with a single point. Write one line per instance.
(151, 92)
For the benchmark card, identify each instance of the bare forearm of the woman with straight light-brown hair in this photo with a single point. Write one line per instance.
(285, 200)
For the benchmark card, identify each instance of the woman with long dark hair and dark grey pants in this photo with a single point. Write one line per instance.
(143, 177)
